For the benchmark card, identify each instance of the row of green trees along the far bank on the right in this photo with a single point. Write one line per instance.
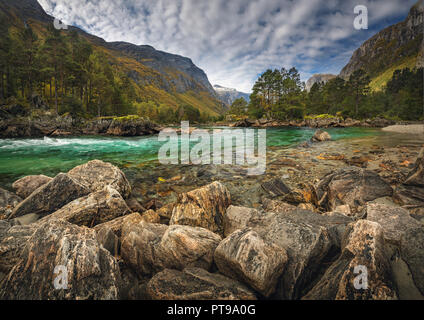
(279, 94)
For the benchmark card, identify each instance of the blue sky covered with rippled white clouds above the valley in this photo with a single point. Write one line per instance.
(234, 41)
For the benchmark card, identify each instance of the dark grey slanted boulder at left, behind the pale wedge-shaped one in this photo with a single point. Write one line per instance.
(51, 196)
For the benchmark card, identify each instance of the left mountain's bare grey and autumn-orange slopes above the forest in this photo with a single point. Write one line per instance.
(161, 77)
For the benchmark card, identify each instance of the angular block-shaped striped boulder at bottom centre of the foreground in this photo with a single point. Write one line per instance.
(244, 255)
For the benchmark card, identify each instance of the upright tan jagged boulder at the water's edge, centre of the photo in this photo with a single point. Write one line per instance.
(203, 207)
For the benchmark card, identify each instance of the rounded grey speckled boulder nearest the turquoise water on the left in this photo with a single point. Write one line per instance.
(96, 174)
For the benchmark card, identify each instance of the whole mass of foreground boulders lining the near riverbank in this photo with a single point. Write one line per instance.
(304, 243)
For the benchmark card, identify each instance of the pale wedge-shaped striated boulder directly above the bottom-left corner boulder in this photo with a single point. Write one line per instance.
(96, 208)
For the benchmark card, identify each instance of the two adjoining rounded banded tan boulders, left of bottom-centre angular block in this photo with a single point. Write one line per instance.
(149, 248)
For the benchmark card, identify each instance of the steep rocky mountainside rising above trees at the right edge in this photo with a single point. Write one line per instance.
(395, 47)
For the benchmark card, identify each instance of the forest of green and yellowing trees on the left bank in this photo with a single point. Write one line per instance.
(72, 76)
